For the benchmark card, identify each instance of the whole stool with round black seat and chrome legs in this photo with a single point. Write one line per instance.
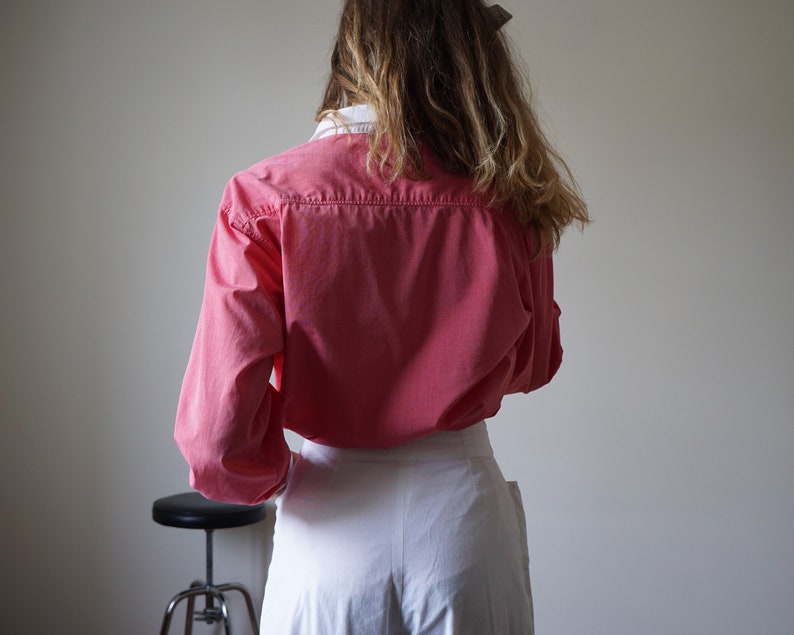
(191, 510)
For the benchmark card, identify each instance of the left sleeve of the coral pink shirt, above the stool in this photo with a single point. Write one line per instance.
(228, 424)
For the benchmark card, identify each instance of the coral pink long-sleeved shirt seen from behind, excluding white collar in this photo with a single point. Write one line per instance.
(387, 311)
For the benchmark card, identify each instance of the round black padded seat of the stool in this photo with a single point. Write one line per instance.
(192, 511)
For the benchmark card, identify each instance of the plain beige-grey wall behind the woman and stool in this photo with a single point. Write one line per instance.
(657, 469)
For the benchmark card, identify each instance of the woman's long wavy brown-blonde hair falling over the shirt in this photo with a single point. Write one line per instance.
(440, 72)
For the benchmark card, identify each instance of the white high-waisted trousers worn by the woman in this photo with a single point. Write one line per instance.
(425, 538)
